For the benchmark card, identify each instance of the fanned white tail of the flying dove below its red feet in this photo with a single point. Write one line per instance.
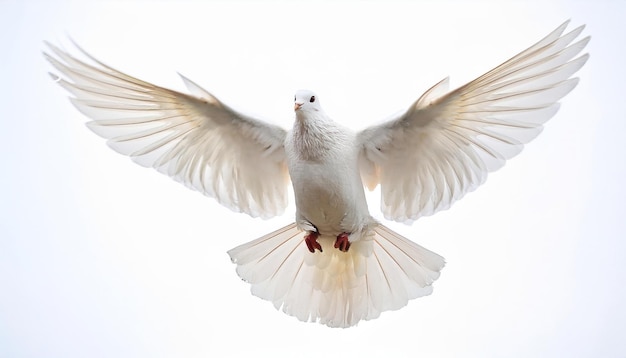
(379, 273)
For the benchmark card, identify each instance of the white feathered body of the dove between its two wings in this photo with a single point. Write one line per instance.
(323, 167)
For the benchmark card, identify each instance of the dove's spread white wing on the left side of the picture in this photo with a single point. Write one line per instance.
(197, 140)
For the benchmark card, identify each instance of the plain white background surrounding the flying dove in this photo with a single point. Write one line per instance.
(102, 258)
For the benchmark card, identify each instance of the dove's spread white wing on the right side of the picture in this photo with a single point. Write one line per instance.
(445, 144)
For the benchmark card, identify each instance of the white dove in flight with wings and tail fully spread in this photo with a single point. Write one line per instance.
(336, 264)
